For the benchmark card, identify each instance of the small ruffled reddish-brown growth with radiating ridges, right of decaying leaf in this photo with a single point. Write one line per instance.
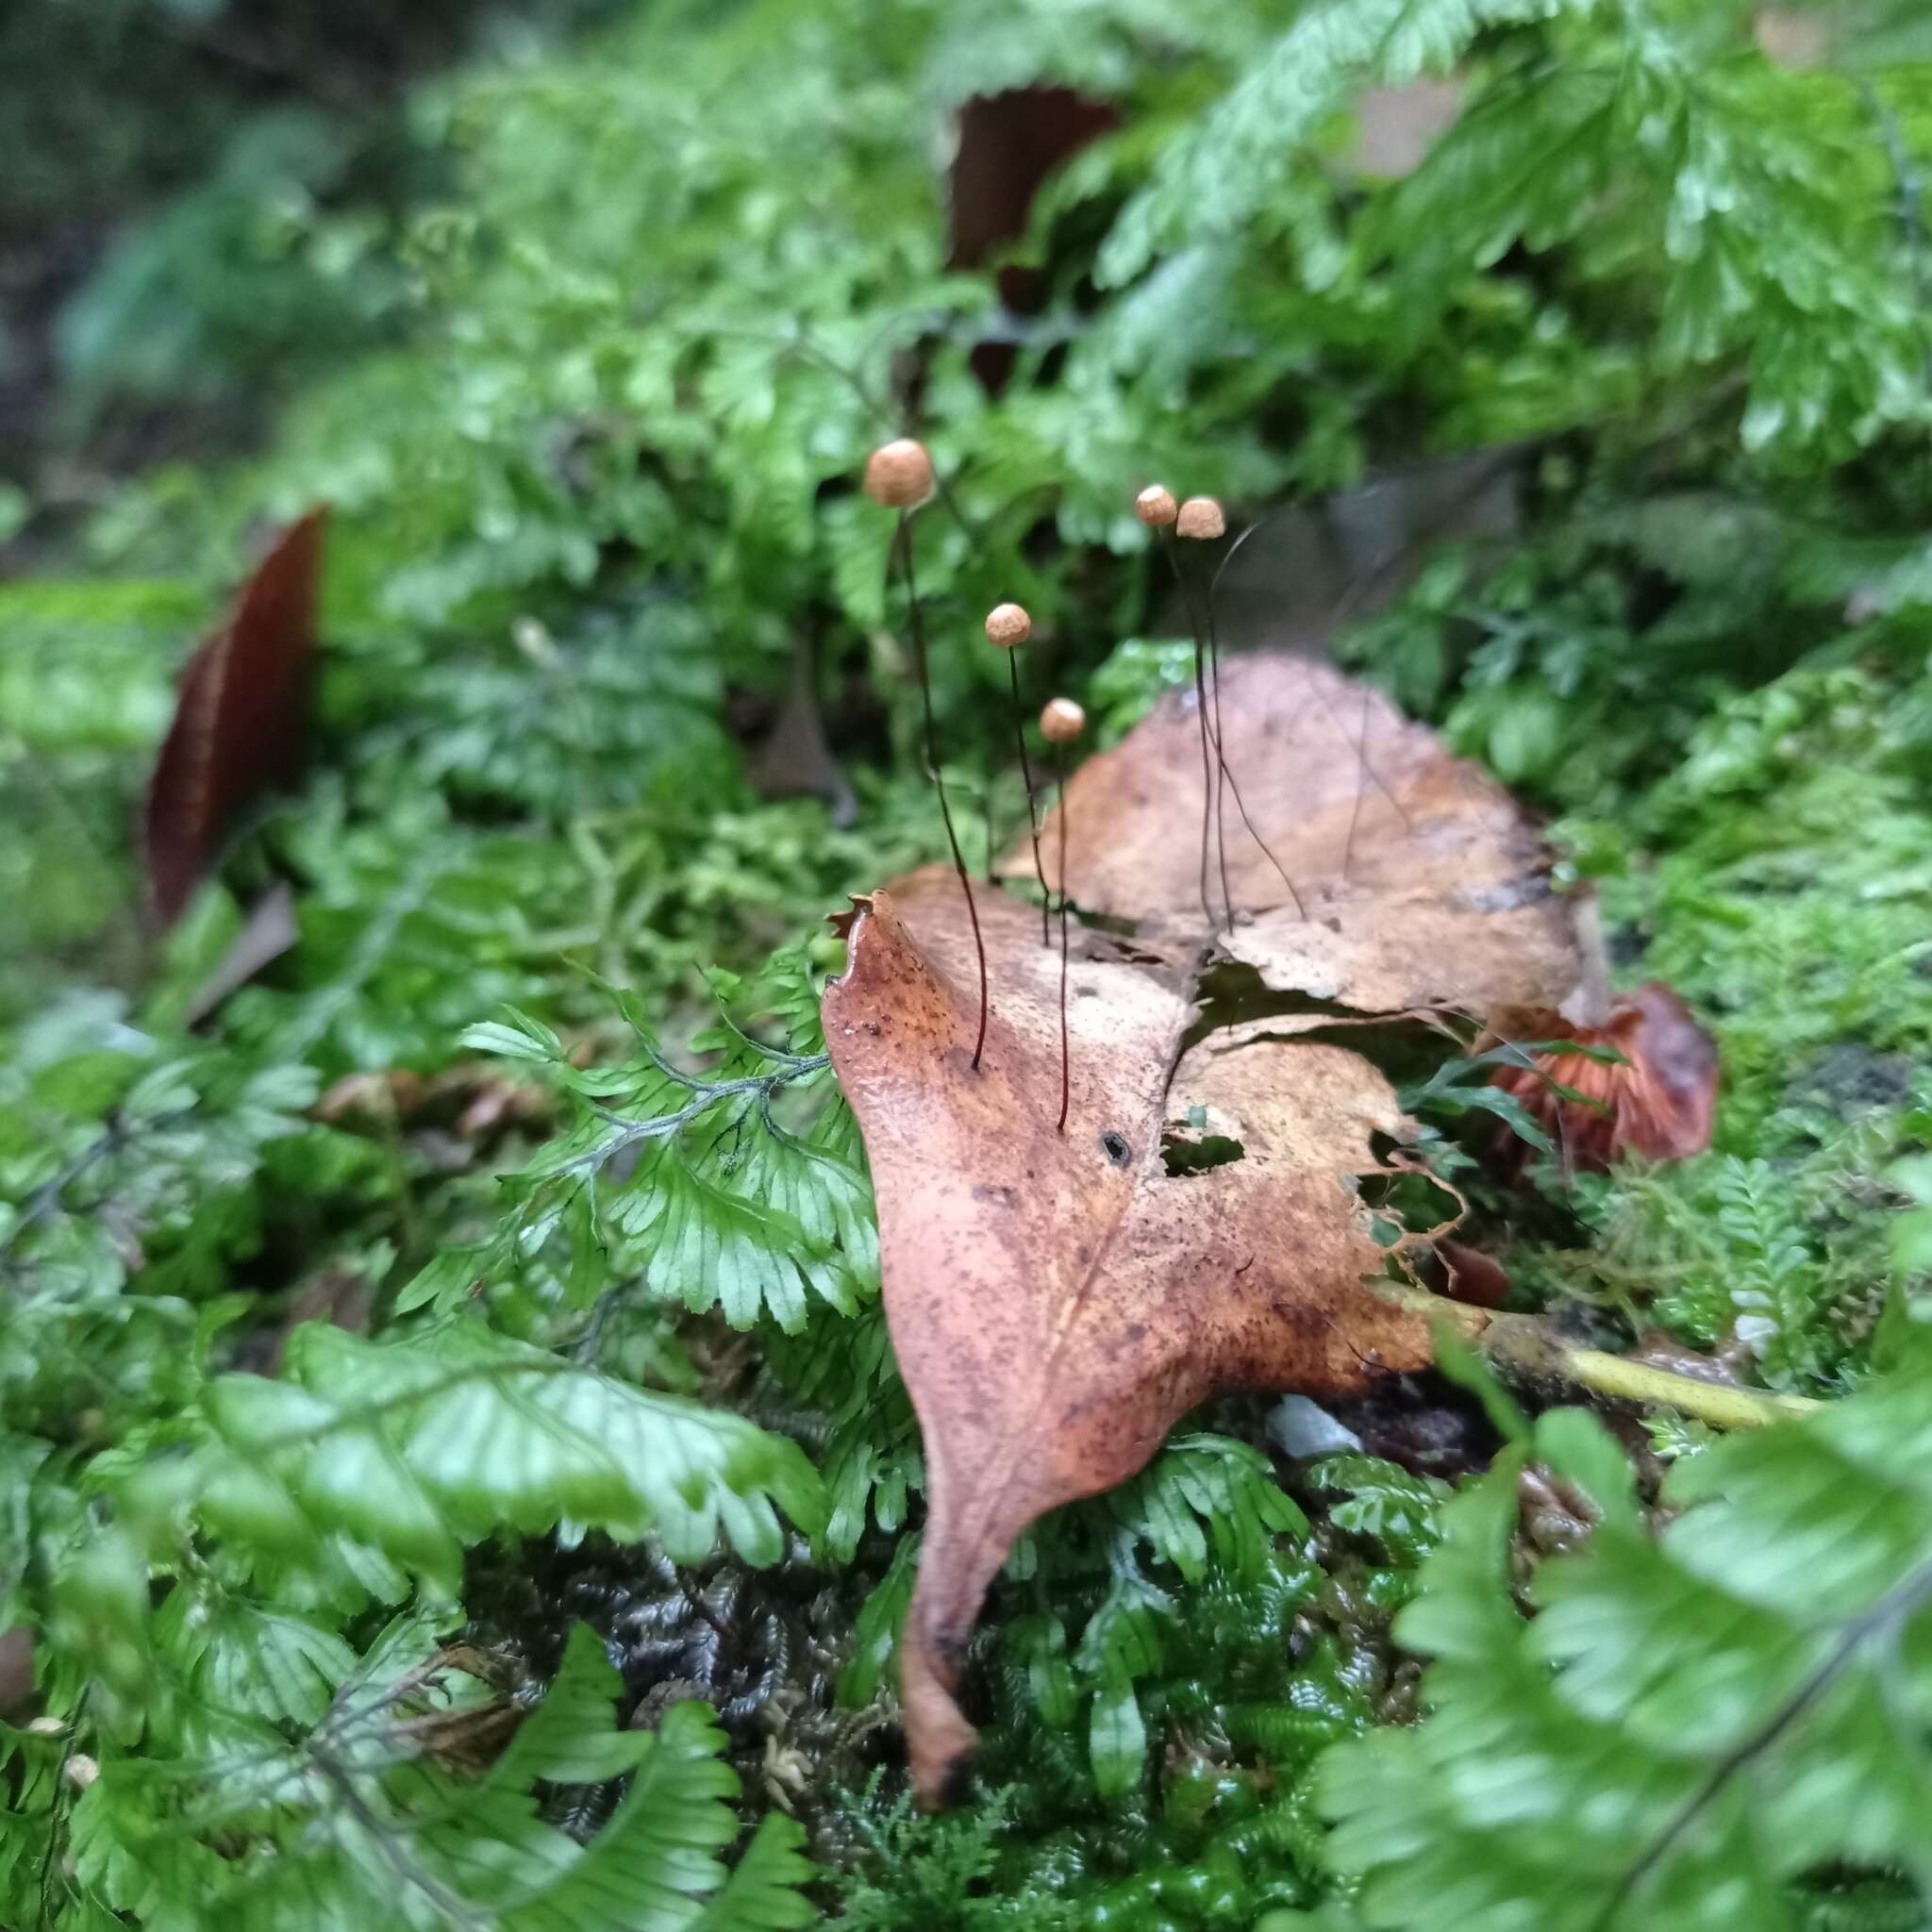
(1659, 1104)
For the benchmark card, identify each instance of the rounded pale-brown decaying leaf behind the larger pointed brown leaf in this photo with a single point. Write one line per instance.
(1421, 880)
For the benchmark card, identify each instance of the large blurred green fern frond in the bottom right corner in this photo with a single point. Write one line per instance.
(1722, 1724)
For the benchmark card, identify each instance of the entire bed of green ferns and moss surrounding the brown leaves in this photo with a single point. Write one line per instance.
(631, 314)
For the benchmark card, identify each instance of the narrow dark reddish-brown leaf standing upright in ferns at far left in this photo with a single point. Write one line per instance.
(241, 720)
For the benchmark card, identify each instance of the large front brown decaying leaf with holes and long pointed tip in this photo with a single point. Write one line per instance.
(1060, 1299)
